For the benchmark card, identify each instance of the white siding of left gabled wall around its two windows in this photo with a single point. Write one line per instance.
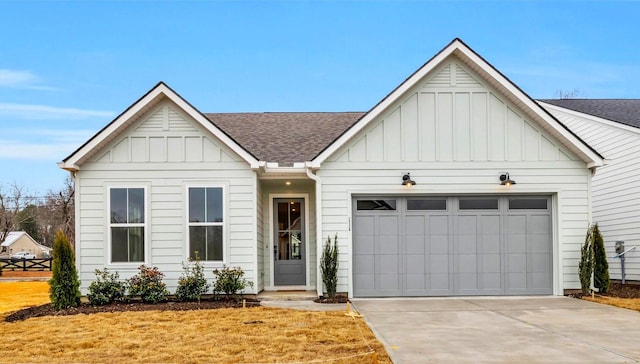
(165, 152)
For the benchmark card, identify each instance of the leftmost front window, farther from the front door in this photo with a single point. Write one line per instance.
(127, 223)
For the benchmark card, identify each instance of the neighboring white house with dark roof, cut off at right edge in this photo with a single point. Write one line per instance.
(612, 127)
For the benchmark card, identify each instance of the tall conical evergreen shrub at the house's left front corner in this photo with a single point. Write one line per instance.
(64, 286)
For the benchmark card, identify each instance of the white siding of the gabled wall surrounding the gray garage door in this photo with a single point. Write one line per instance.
(455, 134)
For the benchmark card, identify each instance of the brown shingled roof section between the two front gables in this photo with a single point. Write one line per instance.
(284, 137)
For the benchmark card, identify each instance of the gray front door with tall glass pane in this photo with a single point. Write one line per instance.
(289, 242)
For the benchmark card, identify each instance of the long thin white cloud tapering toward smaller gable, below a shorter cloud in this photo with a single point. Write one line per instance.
(44, 112)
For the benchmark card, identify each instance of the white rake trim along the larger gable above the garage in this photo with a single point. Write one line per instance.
(490, 76)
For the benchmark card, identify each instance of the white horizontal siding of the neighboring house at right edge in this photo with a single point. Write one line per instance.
(616, 186)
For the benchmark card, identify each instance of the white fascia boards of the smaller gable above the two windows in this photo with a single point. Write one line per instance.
(72, 162)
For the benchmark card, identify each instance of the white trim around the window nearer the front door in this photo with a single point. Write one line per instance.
(224, 223)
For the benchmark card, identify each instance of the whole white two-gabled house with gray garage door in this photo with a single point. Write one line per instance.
(263, 191)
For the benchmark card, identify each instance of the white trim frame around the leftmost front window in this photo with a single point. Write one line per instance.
(145, 225)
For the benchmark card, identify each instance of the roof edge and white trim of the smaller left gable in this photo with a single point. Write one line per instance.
(138, 108)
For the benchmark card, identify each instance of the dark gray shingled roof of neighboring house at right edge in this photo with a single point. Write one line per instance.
(624, 111)
